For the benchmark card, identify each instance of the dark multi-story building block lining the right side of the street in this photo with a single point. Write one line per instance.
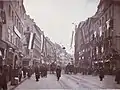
(101, 32)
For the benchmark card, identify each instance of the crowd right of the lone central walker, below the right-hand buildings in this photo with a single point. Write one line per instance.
(100, 71)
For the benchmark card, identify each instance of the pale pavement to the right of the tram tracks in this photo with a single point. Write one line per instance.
(108, 82)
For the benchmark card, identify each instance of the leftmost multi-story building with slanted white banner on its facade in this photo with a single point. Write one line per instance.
(12, 30)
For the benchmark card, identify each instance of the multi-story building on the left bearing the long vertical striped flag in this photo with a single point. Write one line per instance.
(33, 44)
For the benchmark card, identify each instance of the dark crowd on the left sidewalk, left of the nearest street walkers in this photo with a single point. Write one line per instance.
(8, 74)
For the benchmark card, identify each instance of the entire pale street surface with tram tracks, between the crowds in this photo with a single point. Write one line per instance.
(66, 82)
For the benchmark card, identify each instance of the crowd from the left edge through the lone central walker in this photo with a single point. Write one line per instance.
(8, 73)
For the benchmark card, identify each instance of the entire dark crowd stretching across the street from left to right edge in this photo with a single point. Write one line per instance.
(7, 73)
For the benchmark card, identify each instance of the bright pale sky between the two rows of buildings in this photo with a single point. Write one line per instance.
(55, 17)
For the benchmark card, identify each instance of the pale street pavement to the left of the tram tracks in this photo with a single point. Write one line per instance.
(44, 83)
